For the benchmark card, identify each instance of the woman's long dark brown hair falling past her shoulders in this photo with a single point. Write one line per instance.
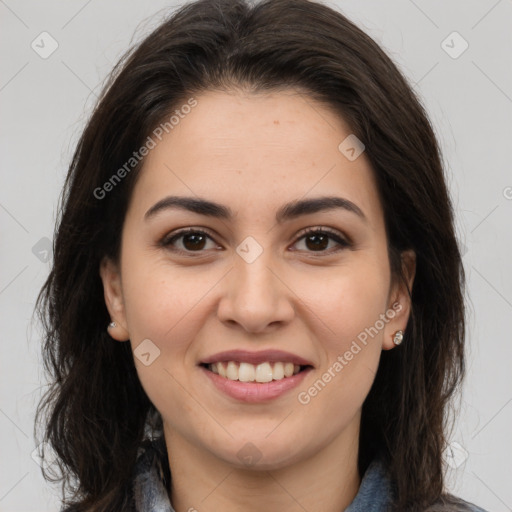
(96, 408)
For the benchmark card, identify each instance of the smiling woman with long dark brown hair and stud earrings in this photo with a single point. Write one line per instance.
(257, 294)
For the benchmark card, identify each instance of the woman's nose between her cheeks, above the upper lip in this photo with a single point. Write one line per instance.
(256, 295)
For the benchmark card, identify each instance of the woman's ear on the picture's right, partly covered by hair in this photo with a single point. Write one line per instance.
(399, 301)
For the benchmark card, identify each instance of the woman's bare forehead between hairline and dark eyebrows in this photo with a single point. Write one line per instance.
(254, 152)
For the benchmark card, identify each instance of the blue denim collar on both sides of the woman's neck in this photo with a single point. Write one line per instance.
(150, 492)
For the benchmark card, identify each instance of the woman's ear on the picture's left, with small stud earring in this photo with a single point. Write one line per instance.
(114, 300)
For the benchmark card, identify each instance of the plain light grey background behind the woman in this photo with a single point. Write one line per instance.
(45, 102)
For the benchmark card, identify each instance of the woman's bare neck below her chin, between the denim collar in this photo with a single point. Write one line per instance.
(326, 481)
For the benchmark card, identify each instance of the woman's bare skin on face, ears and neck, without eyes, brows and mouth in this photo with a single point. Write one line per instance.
(253, 153)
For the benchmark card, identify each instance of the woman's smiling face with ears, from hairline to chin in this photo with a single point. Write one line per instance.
(253, 282)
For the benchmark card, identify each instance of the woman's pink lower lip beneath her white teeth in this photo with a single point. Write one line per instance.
(255, 391)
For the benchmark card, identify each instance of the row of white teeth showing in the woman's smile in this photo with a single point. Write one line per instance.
(246, 372)
